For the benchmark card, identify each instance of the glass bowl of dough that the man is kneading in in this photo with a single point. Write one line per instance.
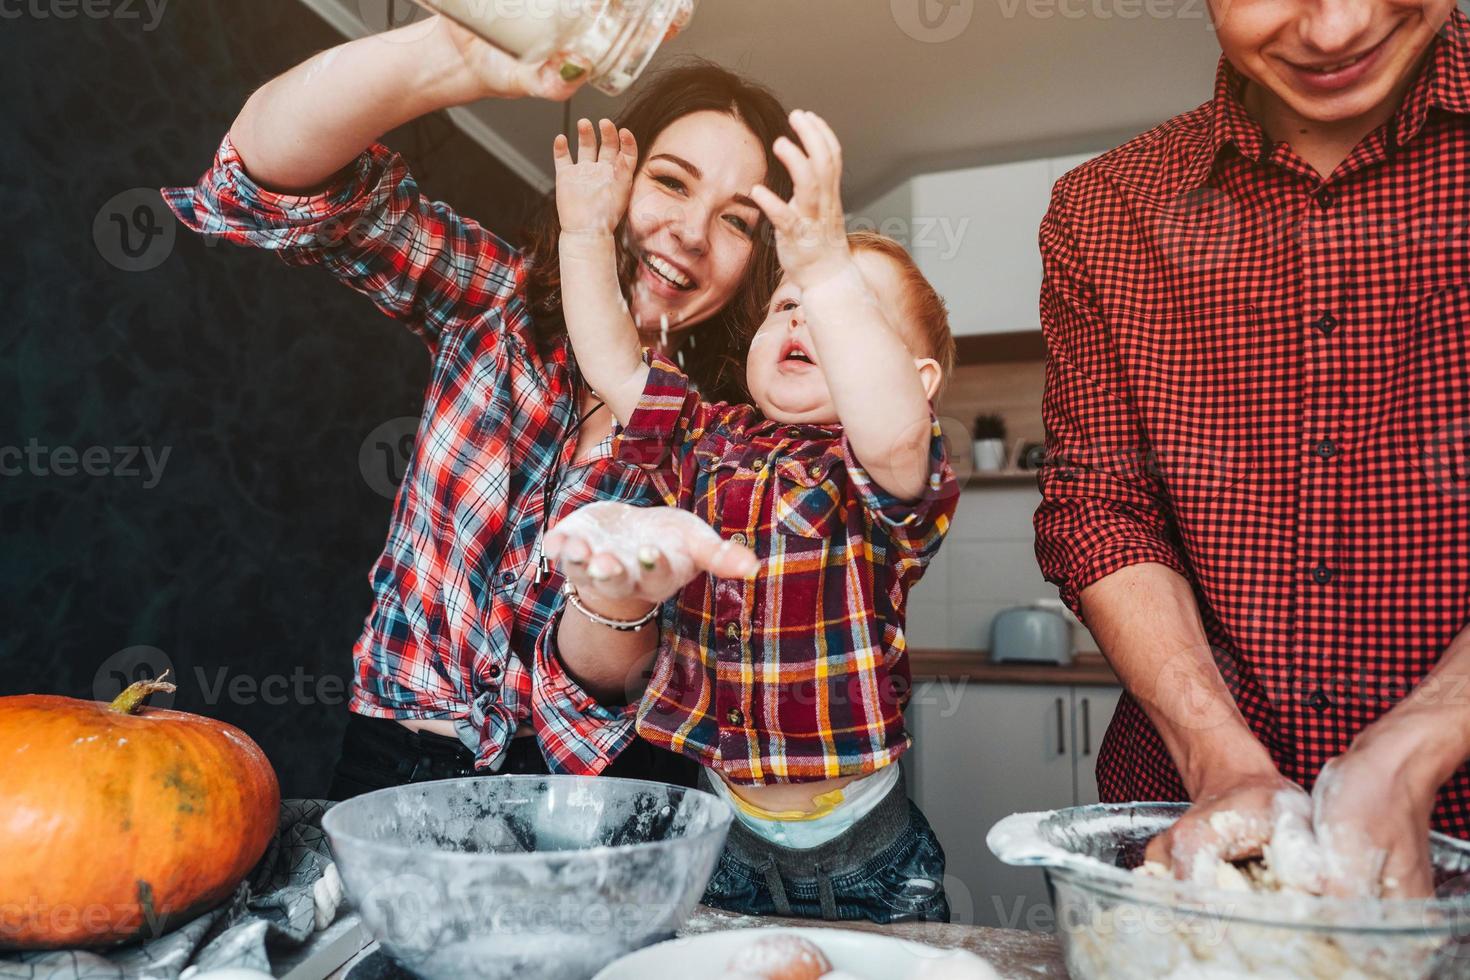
(1118, 926)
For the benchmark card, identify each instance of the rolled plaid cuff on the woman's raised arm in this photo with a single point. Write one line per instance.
(227, 203)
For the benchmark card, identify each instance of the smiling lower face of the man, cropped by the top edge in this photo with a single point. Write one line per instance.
(1328, 61)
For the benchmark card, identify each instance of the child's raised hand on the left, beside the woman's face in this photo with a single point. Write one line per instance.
(593, 190)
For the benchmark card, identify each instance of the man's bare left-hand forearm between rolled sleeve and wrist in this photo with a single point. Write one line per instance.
(1147, 622)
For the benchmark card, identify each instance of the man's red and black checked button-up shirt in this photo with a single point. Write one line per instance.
(1262, 380)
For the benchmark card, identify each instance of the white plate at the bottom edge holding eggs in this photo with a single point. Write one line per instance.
(864, 956)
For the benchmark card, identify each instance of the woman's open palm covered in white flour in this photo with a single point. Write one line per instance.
(617, 553)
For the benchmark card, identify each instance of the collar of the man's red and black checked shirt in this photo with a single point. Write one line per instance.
(1443, 84)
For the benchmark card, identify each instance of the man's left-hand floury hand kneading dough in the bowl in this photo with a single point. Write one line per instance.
(1238, 819)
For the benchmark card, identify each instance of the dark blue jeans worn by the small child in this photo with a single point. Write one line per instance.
(889, 868)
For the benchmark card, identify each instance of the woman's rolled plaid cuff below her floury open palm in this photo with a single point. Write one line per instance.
(578, 737)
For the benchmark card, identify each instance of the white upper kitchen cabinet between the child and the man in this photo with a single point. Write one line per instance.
(974, 233)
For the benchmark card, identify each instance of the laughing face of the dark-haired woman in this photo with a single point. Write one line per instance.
(692, 221)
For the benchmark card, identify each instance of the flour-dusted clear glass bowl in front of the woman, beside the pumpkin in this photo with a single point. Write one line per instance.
(526, 876)
